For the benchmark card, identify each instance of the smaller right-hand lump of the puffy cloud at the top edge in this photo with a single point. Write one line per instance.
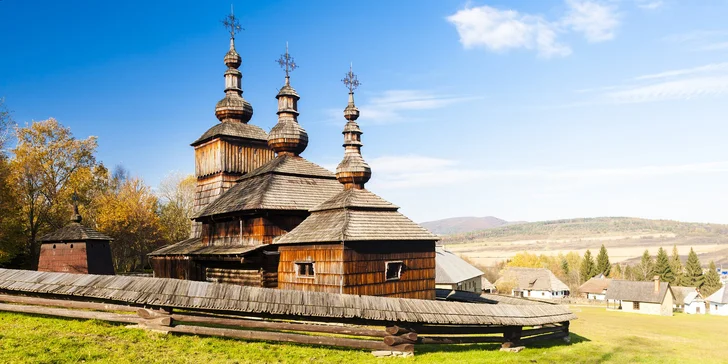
(596, 21)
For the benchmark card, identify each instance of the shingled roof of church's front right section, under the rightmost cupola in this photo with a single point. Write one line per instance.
(355, 215)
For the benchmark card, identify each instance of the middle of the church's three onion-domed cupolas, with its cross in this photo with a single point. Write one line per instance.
(287, 137)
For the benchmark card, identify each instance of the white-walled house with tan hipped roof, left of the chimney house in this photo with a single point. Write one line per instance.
(533, 283)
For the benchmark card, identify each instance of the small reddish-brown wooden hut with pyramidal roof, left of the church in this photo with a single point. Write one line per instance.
(76, 248)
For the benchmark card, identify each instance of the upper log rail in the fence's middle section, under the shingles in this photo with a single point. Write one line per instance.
(259, 324)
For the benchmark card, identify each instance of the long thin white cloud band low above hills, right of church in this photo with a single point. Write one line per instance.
(409, 171)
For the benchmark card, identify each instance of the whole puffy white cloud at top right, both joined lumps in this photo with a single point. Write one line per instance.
(500, 30)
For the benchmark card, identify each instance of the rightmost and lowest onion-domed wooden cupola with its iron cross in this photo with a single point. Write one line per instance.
(353, 172)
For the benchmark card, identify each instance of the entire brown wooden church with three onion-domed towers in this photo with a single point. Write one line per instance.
(265, 216)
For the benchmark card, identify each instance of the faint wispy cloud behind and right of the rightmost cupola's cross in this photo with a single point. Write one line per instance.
(397, 106)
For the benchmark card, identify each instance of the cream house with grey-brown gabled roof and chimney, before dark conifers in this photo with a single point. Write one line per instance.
(653, 298)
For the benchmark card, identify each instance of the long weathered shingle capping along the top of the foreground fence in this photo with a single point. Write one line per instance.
(241, 300)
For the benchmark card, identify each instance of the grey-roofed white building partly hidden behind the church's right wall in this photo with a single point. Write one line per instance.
(454, 273)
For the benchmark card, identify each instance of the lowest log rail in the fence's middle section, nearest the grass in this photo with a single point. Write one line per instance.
(288, 337)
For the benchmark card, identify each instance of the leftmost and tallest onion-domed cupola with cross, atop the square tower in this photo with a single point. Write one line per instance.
(233, 107)
